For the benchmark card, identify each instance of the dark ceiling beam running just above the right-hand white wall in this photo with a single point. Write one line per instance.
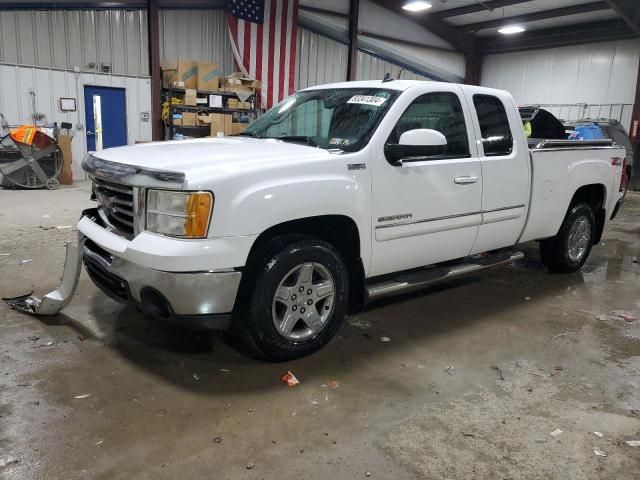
(566, 35)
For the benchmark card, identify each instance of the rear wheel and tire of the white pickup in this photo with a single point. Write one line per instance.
(569, 249)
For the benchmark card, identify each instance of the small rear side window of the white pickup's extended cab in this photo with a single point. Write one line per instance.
(494, 125)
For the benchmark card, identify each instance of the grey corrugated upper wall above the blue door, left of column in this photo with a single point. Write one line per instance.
(76, 38)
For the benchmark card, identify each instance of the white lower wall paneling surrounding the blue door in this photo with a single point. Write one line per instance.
(50, 84)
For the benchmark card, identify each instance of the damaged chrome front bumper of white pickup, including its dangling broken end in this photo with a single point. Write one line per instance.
(202, 299)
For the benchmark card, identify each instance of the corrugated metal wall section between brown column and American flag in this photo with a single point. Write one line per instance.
(198, 35)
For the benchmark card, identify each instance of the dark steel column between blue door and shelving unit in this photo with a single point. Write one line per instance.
(153, 29)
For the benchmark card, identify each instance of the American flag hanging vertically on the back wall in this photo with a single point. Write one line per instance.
(264, 36)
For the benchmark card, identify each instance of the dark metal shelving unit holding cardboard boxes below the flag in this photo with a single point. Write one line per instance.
(201, 130)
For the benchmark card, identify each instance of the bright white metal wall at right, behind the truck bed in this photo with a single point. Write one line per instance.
(602, 75)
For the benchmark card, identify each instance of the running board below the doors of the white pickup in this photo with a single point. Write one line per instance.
(417, 279)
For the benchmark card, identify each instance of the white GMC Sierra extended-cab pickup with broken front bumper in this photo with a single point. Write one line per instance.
(340, 195)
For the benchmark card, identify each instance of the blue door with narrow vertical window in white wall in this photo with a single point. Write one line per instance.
(105, 117)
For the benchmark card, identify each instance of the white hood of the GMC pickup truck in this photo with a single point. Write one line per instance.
(208, 156)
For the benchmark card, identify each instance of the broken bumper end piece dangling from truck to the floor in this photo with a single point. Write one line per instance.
(58, 299)
